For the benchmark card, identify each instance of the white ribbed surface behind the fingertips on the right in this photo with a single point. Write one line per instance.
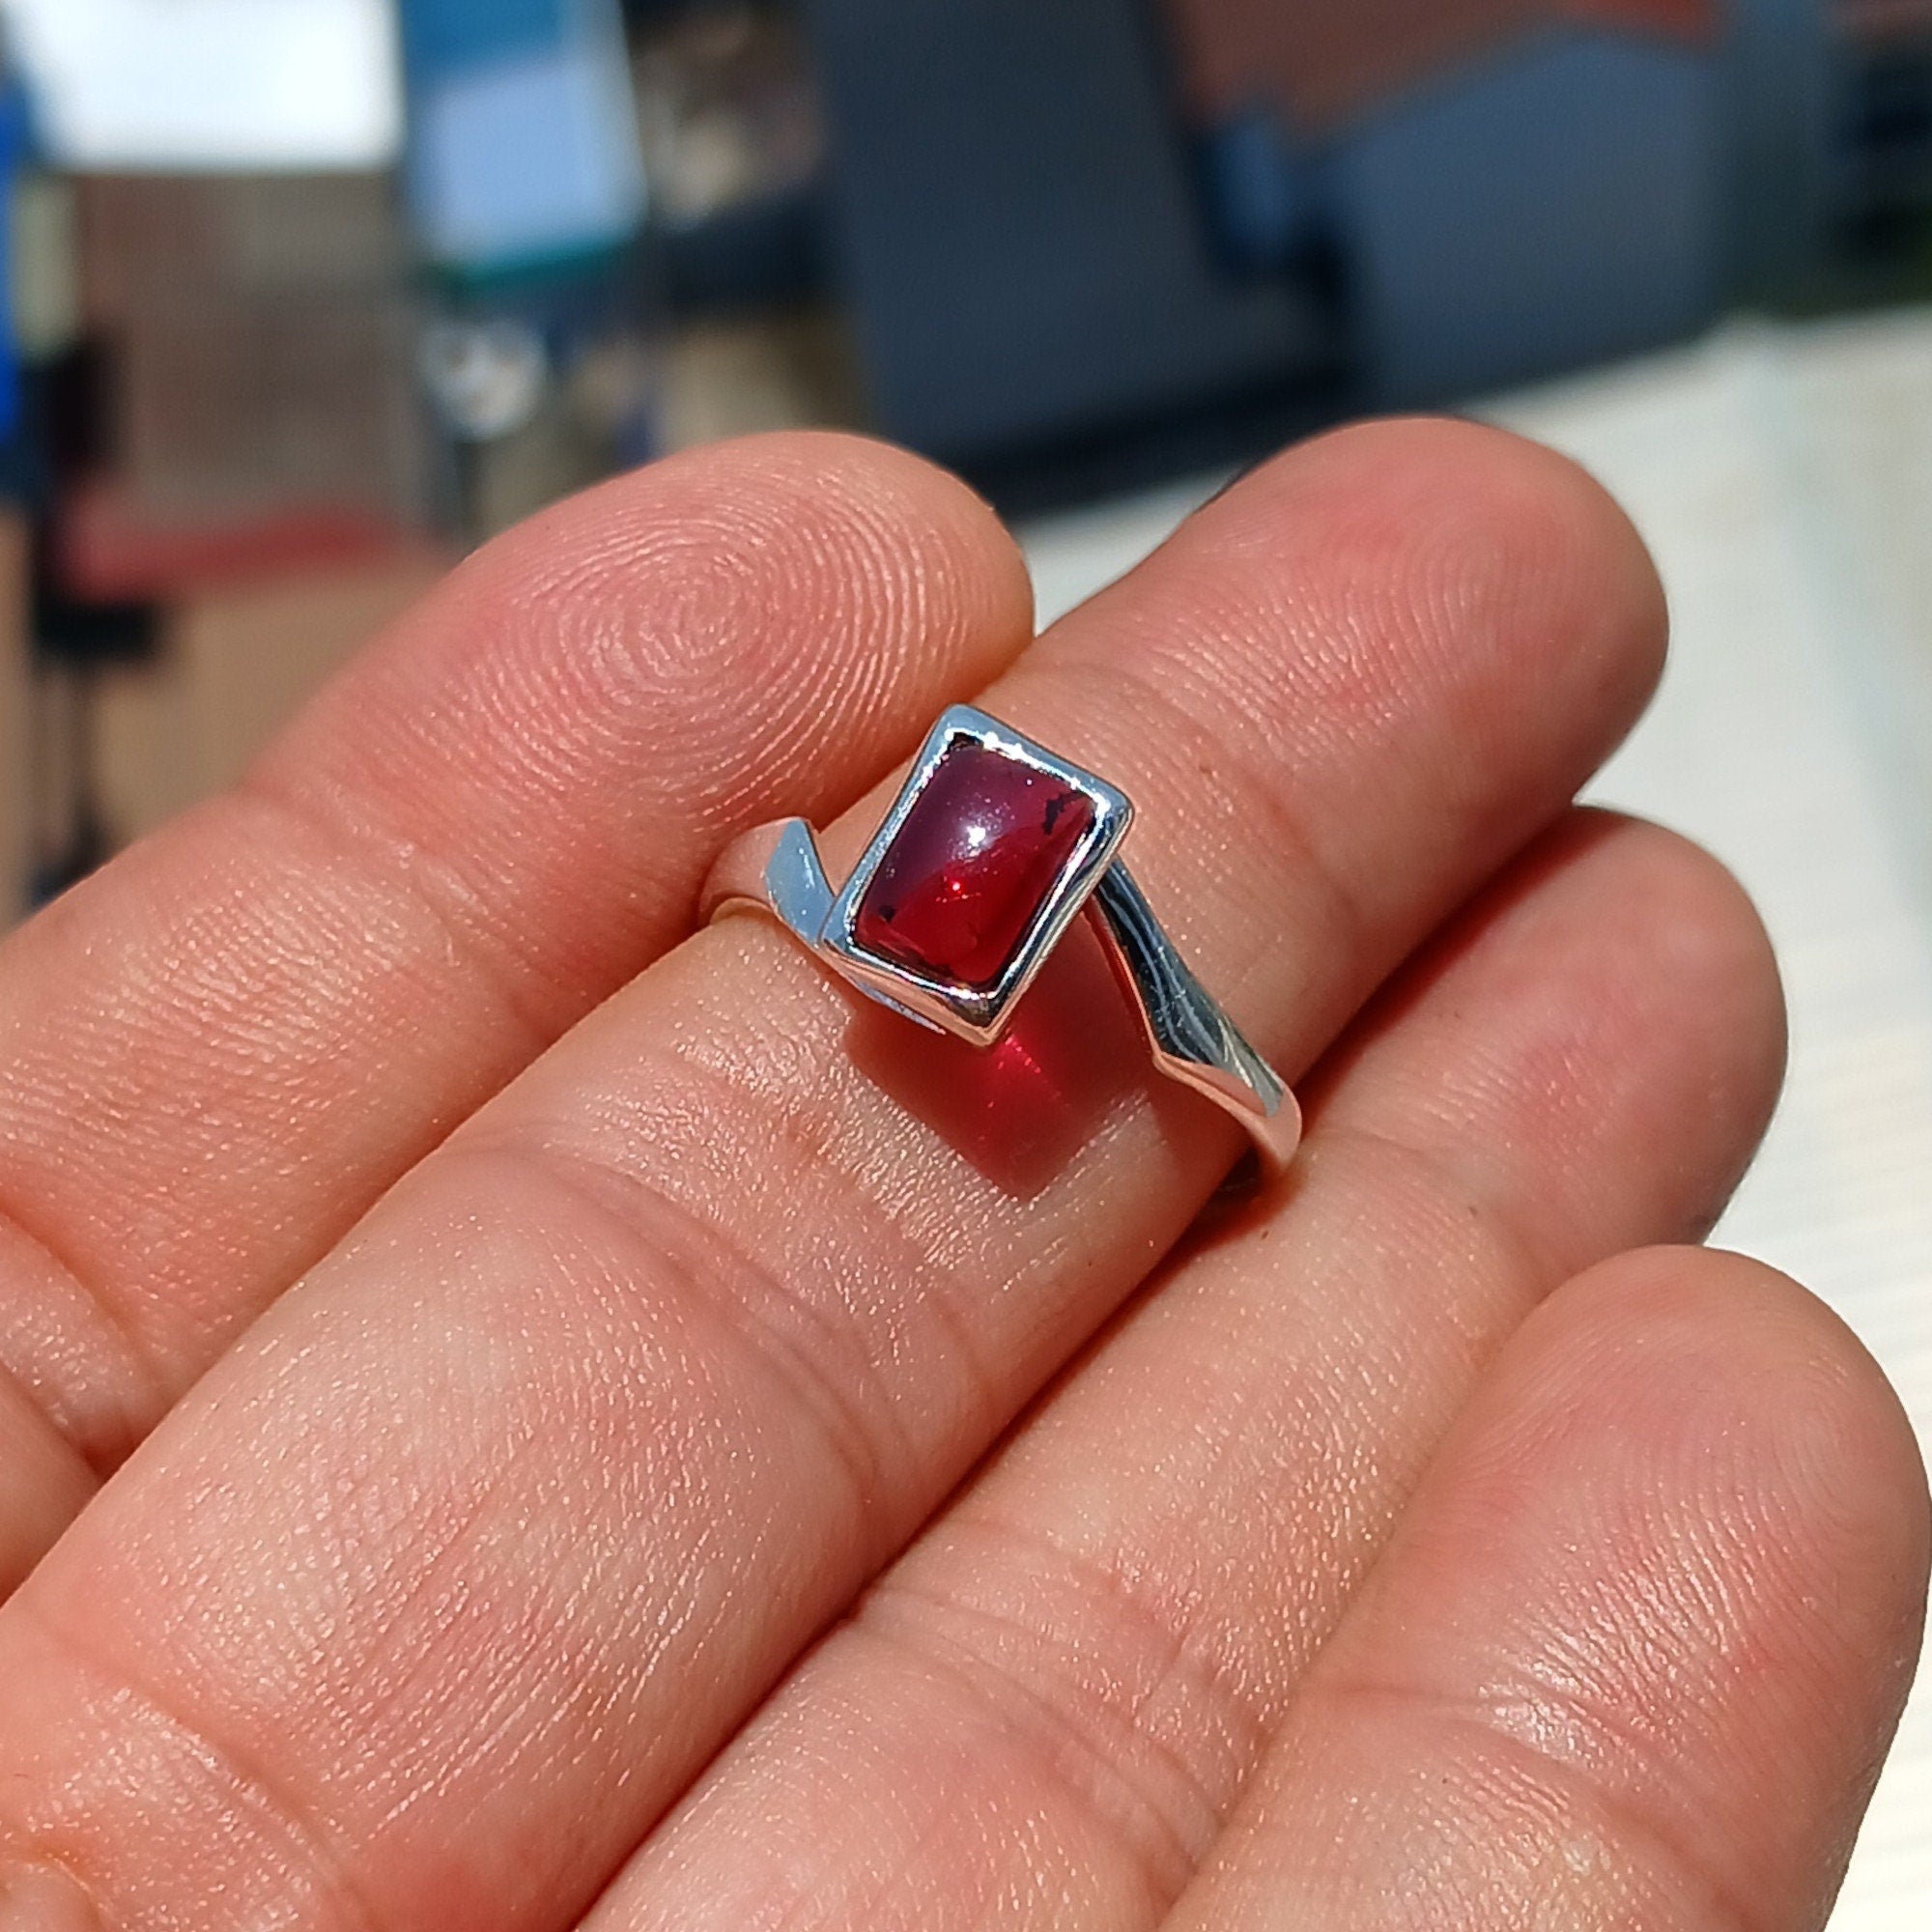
(1784, 480)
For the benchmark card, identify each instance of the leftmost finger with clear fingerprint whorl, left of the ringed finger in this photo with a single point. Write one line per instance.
(219, 1052)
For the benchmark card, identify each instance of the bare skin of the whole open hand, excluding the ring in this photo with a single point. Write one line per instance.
(507, 1330)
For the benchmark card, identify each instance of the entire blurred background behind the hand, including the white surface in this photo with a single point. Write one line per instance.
(302, 298)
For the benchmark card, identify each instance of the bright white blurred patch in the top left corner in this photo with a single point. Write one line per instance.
(213, 84)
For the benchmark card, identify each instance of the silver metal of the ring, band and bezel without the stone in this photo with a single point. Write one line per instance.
(778, 870)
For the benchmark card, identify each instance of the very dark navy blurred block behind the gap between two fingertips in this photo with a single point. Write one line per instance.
(1025, 248)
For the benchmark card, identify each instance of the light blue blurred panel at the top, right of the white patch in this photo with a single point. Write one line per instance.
(523, 132)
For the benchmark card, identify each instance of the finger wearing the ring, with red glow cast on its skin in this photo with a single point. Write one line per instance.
(447, 1583)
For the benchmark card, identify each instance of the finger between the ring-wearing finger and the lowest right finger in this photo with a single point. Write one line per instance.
(1048, 1709)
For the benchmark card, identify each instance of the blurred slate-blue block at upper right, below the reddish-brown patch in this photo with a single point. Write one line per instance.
(1550, 206)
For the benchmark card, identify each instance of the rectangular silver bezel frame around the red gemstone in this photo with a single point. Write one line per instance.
(979, 1015)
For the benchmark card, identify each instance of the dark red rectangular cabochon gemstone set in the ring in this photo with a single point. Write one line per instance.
(971, 868)
